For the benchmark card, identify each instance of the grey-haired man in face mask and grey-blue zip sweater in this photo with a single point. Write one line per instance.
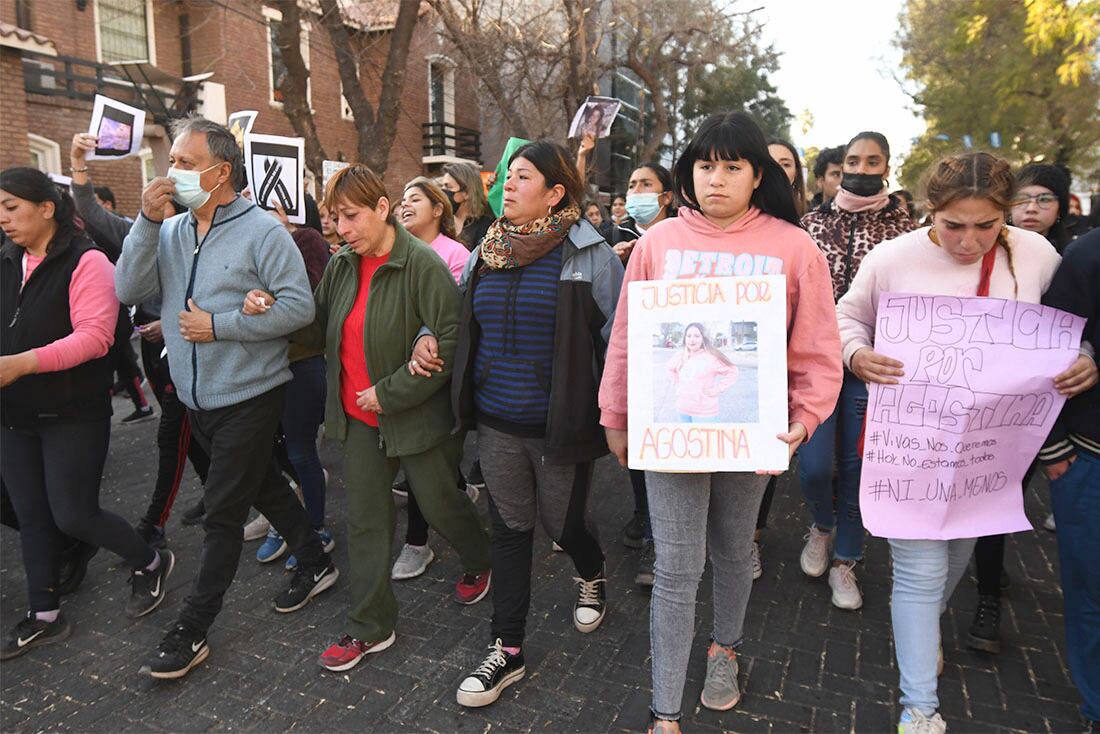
(230, 370)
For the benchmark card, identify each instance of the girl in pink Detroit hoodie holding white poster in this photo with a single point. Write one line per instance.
(739, 220)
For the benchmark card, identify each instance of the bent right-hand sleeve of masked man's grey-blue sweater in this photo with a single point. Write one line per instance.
(283, 275)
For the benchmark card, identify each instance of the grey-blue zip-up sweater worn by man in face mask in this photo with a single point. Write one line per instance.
(245, 249)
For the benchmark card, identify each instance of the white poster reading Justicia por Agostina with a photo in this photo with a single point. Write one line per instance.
(708, 375)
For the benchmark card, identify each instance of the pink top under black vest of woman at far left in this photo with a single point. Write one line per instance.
(94, 311)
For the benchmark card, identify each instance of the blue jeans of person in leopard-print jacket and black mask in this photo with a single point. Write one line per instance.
(816, 472)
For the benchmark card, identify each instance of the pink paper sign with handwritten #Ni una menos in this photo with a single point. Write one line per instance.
(945, 451)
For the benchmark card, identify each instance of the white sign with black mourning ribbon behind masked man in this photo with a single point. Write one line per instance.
(274, 167)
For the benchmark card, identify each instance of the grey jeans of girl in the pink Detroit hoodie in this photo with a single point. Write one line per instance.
(691, 513)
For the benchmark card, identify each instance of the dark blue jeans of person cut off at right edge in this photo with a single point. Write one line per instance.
(1076, 500)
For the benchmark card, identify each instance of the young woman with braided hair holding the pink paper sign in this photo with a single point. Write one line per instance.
(967, 251)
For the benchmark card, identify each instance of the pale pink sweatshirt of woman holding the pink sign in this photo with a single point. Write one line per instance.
(914, 264)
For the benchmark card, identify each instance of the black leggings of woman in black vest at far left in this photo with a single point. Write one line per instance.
(52, 474)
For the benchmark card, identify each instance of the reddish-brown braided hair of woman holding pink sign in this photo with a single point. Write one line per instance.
(975, 177)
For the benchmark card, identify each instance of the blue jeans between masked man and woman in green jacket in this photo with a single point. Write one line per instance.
(303, 413)
